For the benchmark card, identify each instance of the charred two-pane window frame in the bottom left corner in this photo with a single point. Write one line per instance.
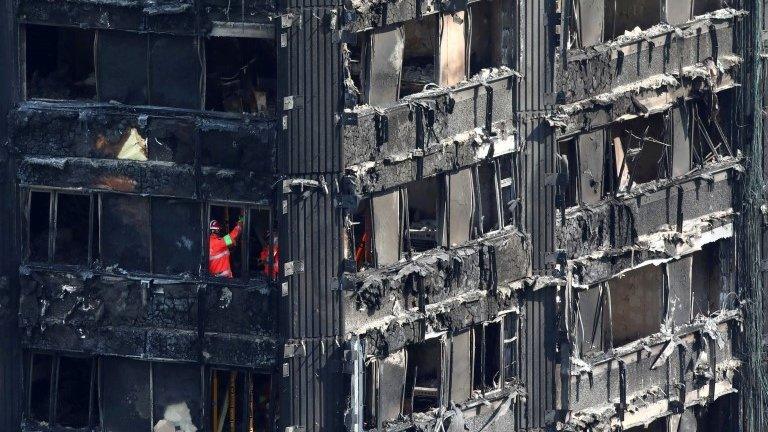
(94, 402)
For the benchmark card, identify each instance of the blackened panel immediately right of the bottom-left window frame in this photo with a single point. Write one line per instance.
(126, 399)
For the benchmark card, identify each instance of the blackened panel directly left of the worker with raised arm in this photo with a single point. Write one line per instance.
(176, 242)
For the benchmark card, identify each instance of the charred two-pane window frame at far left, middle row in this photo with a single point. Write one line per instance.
(26, 201)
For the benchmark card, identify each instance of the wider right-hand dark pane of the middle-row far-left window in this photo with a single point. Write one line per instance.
(72, 228)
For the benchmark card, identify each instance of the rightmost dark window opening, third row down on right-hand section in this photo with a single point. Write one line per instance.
(711, 278)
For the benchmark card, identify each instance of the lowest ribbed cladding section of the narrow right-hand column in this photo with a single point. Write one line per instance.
(537, 362)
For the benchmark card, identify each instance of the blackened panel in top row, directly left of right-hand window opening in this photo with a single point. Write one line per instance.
(174, 73)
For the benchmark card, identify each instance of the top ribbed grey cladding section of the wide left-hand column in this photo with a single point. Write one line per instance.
(311, 67)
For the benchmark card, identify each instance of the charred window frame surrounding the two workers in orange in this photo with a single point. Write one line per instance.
(245, 272)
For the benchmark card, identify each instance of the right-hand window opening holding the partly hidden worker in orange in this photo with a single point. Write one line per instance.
(264, 251)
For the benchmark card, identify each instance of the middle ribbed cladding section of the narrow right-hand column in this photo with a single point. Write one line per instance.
(538, 170)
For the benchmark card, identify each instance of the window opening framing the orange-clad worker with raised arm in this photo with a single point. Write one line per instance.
(226, 248)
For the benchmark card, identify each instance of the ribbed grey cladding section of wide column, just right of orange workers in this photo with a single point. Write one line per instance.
(312, 228)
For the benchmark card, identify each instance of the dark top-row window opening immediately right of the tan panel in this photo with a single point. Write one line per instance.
(486, 34)
